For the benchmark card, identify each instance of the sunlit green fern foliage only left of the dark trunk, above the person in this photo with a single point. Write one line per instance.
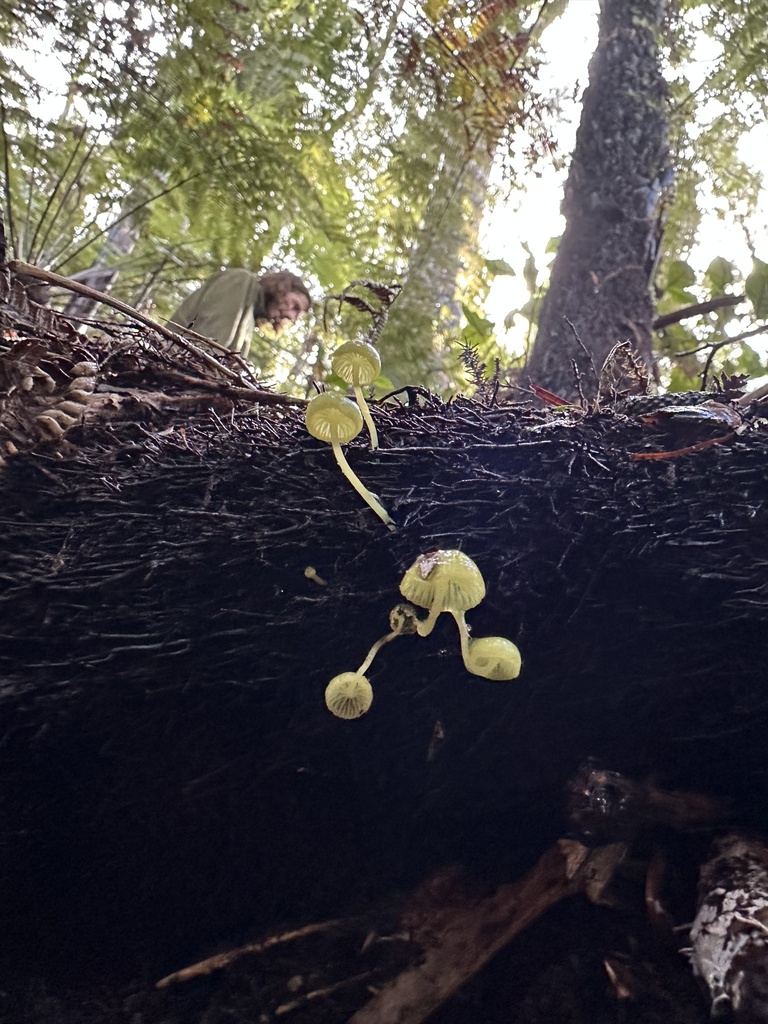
(342, 140)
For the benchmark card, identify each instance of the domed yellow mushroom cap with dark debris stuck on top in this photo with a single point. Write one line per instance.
(450, 579)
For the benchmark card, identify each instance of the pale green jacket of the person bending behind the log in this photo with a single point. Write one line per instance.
(225, 310)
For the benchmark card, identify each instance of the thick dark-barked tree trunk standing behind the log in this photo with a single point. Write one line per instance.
(602, 276)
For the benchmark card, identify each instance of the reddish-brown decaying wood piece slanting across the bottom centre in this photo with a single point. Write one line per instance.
(458, 943)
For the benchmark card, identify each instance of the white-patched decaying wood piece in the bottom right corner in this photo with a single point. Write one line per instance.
(730, 937)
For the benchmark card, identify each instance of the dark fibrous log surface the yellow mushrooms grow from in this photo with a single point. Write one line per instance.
(172, 780)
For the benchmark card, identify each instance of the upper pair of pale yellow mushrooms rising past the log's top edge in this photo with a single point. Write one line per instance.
(337, 420)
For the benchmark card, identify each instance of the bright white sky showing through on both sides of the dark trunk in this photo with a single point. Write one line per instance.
(535, 218)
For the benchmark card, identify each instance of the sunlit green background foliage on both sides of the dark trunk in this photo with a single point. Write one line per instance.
(345, 141)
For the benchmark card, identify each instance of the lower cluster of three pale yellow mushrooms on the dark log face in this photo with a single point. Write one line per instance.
(440, 581)
